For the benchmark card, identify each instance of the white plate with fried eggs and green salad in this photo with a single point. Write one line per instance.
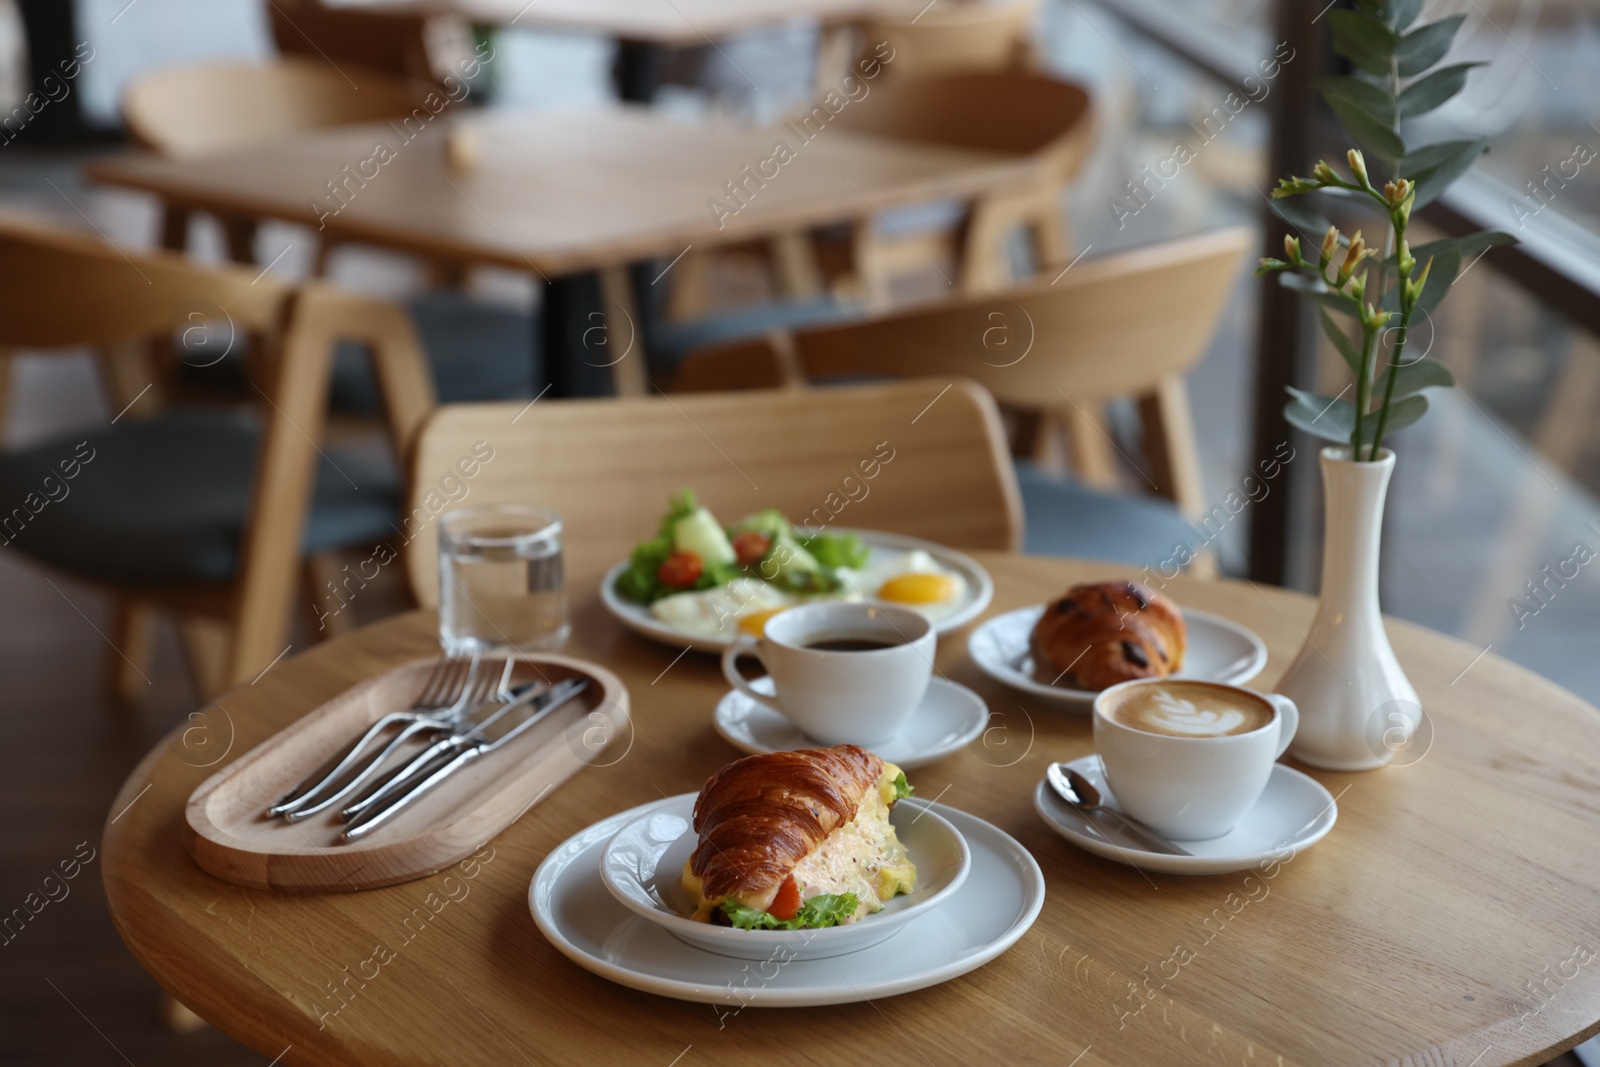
(700, 583)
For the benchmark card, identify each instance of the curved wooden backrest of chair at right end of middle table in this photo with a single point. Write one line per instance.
(994, 111)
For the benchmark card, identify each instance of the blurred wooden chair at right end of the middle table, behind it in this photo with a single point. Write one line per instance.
(990, 111)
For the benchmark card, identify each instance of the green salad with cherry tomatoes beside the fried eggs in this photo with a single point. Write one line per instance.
(692, 551)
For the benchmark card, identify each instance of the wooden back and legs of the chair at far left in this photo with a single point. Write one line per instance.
(70, 290)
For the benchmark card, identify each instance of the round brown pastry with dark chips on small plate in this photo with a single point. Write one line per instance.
(1108, 633)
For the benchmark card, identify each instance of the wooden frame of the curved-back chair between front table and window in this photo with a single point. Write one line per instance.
(1124, 326)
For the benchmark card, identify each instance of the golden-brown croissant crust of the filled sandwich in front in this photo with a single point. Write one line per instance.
(762, 815)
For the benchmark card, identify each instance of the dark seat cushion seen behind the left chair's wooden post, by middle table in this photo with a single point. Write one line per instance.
(478, 353)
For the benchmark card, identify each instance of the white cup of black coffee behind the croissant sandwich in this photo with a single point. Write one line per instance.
(841, 697)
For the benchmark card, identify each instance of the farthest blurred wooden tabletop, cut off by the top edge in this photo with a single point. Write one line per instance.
(657, 22)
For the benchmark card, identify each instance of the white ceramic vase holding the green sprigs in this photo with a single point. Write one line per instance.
(1358, 708)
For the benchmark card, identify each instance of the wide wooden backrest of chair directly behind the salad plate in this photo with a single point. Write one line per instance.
(922, 458)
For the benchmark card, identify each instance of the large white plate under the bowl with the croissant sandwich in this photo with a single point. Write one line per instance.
(999, 841)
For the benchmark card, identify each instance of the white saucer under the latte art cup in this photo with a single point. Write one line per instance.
(1294, 813)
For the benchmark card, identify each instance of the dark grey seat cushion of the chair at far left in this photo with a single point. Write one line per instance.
(164, 502)
